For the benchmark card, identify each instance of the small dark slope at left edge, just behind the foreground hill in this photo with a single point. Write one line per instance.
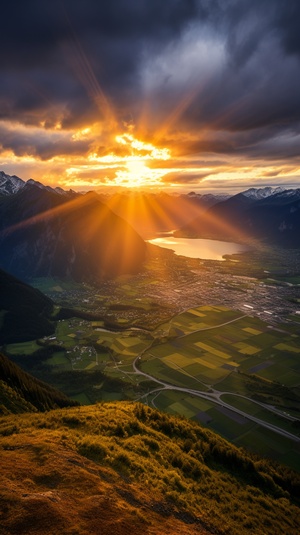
(20, 392)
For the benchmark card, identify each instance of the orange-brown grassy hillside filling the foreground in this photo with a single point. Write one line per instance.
(123, 467)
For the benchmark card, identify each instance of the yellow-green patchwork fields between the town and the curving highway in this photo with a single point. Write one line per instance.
(228, 344)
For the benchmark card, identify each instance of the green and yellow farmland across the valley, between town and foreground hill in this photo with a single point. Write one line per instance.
(207, 349)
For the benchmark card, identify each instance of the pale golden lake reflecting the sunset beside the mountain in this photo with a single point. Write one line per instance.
(199, 248)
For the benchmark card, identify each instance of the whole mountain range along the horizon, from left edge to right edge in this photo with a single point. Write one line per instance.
(270, 214)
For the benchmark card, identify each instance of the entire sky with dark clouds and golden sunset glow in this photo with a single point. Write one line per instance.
(175, 95)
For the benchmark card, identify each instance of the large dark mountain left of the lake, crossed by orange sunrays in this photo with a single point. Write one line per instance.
(43, 233)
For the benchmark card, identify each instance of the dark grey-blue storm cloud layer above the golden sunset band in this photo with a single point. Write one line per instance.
(230, 66)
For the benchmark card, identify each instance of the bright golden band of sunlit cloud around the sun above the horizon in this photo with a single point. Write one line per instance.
(108, 160)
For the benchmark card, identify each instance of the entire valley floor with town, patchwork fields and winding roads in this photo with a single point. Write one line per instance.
(164, 345)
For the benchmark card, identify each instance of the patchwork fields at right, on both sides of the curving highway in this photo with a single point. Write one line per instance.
(244, 356)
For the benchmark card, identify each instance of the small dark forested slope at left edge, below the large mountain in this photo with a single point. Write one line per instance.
(24, 311)
